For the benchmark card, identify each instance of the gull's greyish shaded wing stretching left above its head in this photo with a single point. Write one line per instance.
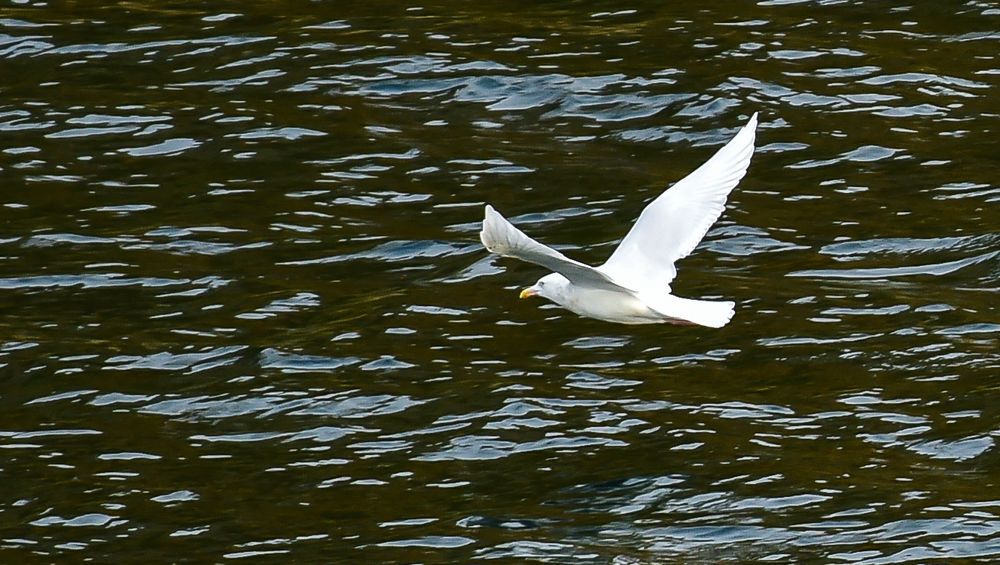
(501, 237)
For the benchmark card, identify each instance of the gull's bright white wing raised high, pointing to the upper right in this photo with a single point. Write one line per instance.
(671, 226)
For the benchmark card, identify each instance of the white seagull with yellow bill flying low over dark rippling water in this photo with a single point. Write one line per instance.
(633, 285)
